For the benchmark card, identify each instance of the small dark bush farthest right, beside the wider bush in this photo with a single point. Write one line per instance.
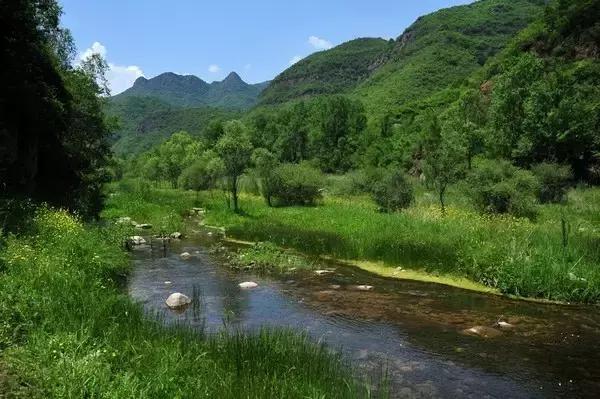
(554, 181)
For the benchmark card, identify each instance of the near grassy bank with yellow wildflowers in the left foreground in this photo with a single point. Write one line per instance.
(67, 330)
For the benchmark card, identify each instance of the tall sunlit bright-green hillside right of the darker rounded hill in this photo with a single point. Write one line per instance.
(442, 49)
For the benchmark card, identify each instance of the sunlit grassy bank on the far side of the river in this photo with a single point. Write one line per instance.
(515, 256)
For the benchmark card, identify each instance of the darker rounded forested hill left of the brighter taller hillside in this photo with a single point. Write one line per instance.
(327, 72)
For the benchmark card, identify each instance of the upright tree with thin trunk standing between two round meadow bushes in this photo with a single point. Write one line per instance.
(444, 159)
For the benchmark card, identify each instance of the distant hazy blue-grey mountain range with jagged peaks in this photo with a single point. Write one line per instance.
(191, 91)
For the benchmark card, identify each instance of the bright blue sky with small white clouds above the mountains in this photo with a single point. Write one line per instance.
(257, 39)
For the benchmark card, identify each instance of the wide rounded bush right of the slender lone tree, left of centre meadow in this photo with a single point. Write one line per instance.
(292, 184)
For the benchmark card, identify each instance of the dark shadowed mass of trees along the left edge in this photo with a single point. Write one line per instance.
(53, 134)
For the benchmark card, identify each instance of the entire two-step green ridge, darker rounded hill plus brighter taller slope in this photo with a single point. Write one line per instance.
(438, 50)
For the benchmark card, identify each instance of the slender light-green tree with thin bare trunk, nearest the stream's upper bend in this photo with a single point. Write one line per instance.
(235, 150)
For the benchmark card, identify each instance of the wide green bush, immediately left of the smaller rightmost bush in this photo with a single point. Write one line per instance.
(498, 187)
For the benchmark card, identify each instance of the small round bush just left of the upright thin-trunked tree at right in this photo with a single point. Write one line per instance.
(393, 192)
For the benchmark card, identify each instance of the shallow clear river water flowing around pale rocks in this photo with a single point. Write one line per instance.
(413, 330)
